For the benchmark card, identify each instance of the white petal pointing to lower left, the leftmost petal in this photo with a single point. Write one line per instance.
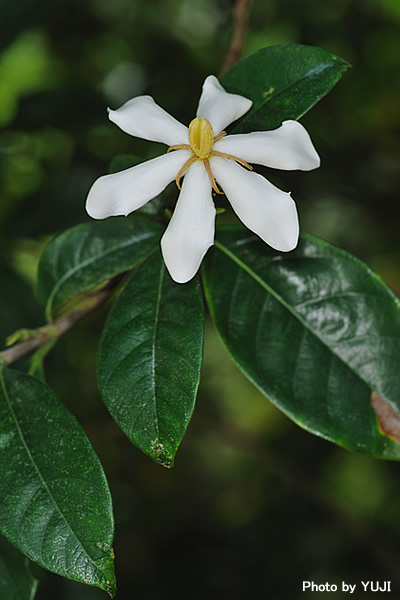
(122, 193)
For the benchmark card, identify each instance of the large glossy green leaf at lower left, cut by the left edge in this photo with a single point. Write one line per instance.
(55, 502)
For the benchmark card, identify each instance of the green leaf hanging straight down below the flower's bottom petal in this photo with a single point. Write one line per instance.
(150, 357)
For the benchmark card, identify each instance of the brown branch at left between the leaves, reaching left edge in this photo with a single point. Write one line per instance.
(45, 334)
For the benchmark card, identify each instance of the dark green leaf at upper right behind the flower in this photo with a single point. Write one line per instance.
(283, 82)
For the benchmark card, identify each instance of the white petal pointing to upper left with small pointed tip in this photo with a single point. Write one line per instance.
(143, 118)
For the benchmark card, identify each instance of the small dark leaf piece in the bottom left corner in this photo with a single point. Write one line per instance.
(16, 581)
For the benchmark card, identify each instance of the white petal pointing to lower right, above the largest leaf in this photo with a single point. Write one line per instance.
(261, 206)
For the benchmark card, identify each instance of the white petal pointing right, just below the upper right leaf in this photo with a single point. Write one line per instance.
(289, 147)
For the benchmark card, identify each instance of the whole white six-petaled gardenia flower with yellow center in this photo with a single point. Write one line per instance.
(206, 158)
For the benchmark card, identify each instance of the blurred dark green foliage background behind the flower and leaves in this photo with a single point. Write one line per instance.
(254, 505)
